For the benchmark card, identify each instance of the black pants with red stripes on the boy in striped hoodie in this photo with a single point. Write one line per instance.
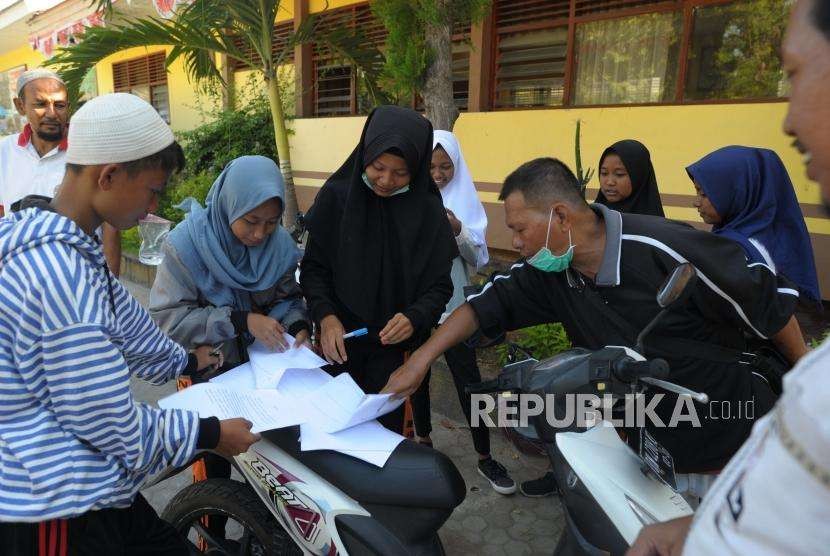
(133, 531)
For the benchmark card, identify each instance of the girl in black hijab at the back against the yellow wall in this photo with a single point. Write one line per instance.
(627, 181)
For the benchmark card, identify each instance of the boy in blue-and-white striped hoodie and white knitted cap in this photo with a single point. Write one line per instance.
(74, 447)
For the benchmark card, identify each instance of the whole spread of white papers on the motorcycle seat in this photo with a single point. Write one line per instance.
(275, 390)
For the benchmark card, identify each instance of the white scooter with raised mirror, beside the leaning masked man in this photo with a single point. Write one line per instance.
(609, 492)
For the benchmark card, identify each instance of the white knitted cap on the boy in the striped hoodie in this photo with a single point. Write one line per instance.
(118, 127)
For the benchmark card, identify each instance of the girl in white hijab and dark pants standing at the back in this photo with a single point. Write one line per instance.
(469, 224)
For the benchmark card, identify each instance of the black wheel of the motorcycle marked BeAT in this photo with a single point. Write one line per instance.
(251, 528)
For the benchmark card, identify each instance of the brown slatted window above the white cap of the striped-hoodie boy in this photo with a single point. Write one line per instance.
(145, 77)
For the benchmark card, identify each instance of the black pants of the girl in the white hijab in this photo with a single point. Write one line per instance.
(461, 360)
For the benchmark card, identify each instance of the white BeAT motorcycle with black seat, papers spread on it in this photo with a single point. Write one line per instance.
(321, 502)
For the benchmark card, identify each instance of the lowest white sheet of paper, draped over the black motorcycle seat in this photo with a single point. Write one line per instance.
(370, 441)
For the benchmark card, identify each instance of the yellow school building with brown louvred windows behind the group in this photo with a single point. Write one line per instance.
(685, 77)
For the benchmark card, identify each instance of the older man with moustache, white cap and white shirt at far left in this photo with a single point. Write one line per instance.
(33, 162)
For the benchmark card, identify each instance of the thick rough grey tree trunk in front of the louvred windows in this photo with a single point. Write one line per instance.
(437, 92)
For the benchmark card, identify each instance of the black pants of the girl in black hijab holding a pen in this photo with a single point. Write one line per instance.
(370, 364)
